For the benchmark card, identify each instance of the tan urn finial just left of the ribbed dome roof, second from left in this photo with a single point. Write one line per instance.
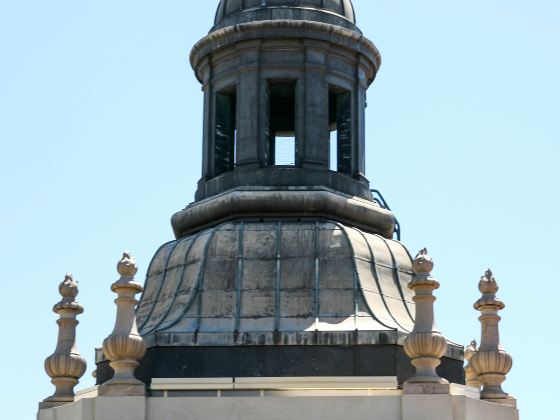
(125, 347)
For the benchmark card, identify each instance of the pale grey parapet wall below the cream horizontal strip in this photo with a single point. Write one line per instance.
(256, 406)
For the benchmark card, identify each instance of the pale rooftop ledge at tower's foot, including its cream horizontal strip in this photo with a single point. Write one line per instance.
(259, 398)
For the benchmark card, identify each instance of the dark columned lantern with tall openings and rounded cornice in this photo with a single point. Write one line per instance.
(318, 60)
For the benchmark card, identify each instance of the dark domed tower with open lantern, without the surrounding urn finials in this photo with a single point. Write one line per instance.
(284, 265)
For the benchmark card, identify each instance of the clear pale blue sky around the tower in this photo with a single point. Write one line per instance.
(100, 128)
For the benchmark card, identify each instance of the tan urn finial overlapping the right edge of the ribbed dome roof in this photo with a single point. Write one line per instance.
(425, 345)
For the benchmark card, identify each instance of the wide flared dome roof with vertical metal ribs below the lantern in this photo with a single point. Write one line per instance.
(269, 283)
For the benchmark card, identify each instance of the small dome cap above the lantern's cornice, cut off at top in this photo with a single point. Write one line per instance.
(336, 12)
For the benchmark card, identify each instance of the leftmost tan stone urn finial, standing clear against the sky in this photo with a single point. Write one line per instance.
(66, 365)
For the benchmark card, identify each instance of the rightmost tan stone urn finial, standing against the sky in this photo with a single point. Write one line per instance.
(490, 362)
